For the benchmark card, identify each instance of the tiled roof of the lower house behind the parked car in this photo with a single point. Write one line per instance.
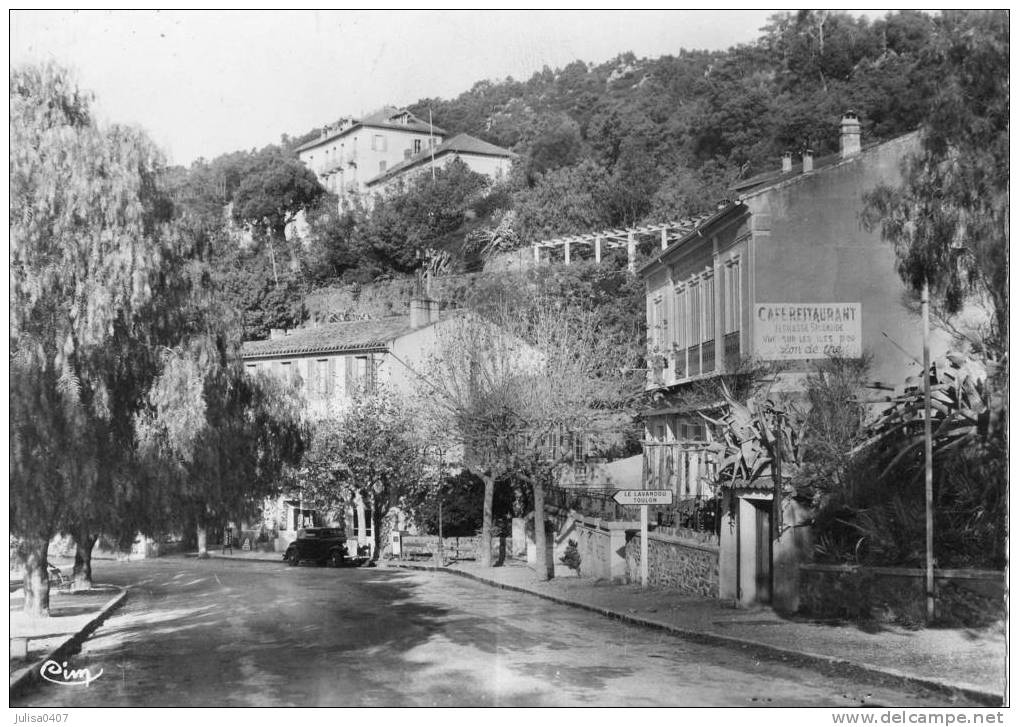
(333, 338)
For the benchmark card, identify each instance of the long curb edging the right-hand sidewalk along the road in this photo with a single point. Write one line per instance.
(832, 666)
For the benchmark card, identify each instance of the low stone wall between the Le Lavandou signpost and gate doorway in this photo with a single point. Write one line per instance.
(685, 565)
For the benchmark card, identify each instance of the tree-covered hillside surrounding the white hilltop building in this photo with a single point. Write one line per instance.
(622, 143)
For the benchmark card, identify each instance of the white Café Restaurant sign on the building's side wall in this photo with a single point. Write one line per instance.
(785, 332)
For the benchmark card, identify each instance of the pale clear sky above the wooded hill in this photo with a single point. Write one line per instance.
(206, 83)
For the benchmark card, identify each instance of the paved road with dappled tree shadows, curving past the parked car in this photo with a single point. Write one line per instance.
(263, 635)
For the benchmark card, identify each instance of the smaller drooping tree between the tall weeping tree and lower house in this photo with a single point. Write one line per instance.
(214, 441)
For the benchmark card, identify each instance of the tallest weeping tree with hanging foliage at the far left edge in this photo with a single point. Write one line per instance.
(83, 250)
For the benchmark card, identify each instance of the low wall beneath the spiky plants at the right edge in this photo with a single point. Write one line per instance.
(963, 598)
